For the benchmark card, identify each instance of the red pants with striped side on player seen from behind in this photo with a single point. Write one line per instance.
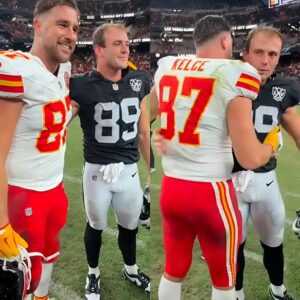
(208, 211)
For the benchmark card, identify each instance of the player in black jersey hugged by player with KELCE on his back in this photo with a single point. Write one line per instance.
(259, 196)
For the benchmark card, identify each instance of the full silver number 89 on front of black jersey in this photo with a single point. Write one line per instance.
(107, 116)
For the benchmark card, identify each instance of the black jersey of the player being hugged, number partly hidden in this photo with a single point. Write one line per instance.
(277, 95)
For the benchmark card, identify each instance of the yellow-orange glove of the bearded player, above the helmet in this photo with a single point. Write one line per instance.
(9, 242)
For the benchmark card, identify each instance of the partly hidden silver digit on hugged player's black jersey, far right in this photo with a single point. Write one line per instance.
(263, 112)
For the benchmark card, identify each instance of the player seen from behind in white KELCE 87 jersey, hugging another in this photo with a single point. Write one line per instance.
(205, 107)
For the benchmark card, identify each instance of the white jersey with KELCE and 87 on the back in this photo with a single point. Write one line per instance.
(194, 94)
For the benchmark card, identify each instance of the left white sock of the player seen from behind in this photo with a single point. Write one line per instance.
(169, 289)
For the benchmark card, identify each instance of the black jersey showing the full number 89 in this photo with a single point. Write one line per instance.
(109, 114)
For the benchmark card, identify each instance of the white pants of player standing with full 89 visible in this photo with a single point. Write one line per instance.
(125, 196)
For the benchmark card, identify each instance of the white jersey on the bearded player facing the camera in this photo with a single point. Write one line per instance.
(36, 157)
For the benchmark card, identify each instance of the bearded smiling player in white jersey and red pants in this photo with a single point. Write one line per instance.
(34, 110)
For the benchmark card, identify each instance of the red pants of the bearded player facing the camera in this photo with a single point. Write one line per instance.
(38, 217)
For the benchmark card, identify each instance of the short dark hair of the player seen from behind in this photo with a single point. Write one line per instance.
(208, 27)
